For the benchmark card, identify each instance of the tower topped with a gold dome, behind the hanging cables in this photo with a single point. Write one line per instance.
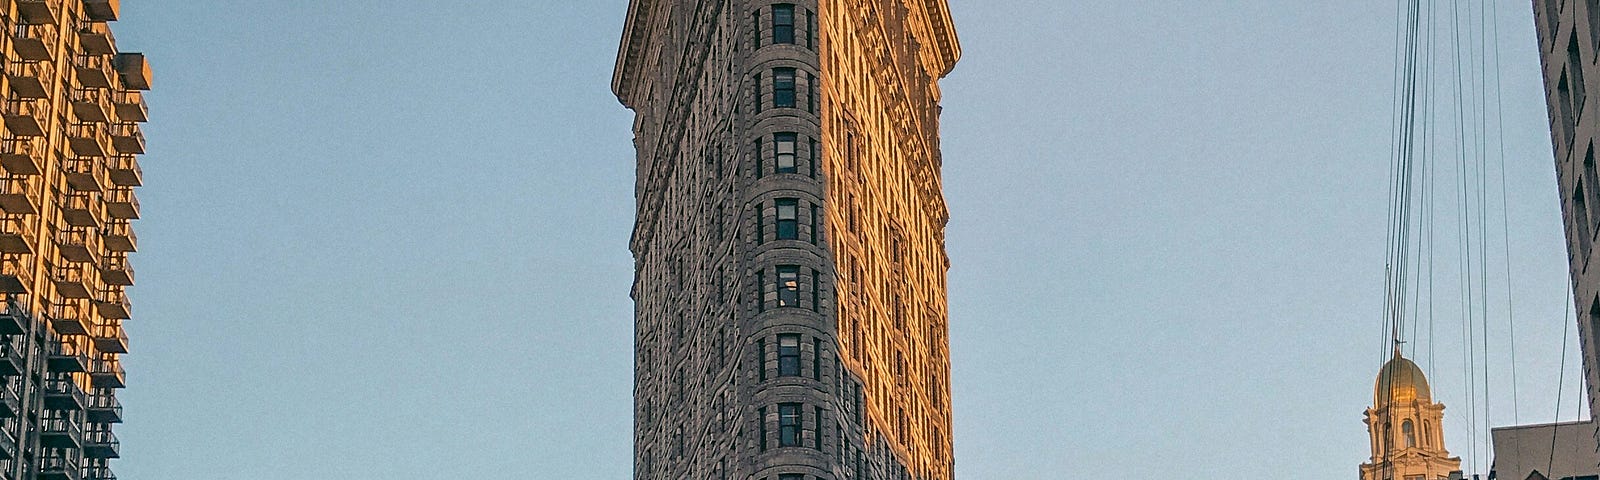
(1406, 428)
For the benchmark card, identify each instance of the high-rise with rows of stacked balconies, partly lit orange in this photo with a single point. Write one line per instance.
(73, 113)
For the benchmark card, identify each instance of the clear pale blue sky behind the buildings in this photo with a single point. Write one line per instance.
(390, 241)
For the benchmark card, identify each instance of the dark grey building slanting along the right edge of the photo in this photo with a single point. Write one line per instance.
(1569, 46)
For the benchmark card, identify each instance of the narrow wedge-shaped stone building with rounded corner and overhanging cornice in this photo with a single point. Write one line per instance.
(790, 250)
